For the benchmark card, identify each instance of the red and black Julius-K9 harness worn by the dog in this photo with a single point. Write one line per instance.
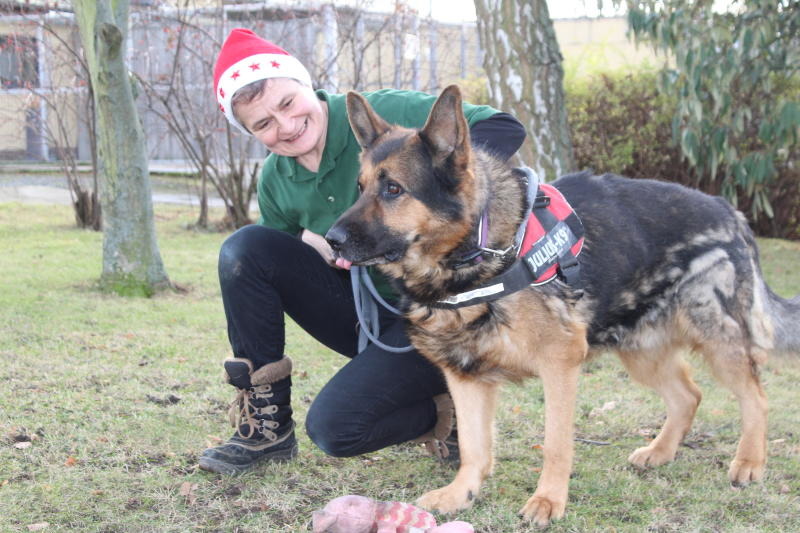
(548, 244)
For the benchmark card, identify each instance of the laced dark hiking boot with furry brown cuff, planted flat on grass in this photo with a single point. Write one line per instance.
(261, 414)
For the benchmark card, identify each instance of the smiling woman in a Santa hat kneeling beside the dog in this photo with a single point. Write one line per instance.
(284, 265)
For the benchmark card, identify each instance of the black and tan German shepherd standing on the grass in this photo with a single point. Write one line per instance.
(664, 270)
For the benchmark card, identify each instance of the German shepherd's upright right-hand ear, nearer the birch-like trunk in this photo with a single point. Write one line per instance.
(446, 132)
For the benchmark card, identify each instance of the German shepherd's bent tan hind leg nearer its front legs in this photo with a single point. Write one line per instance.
(670, 376)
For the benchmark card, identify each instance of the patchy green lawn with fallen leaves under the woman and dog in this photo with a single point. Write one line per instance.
(117, 397)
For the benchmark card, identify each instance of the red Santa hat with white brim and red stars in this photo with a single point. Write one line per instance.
(244, 58)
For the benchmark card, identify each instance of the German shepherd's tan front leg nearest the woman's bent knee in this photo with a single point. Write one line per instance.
(475, 408)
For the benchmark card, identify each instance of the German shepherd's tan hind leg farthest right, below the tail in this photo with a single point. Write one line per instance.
(738, 372)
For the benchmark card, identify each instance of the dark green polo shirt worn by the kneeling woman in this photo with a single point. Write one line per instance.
(292, 198)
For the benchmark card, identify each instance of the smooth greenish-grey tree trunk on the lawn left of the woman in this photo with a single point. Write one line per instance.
(131, 260)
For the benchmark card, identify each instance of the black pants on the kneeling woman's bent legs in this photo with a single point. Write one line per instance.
(378, 398)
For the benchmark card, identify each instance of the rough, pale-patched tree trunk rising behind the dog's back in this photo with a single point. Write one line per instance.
(523, 62)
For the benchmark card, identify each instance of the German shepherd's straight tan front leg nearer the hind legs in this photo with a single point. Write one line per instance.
(560, 381)
